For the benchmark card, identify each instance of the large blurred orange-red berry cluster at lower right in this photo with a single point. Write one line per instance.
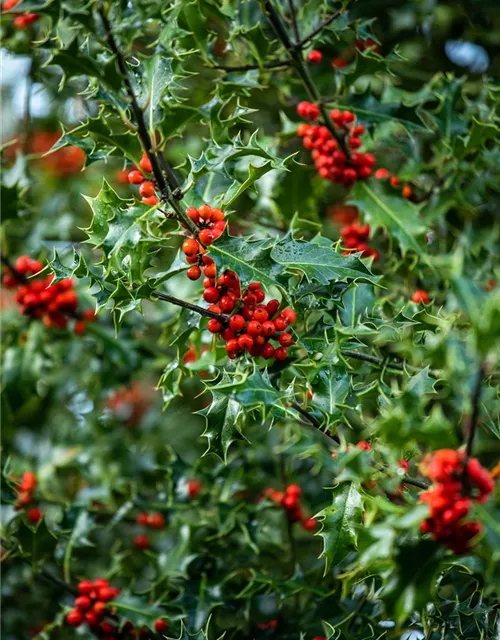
(451, 496)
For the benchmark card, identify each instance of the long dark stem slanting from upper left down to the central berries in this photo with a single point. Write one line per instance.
(157, 159)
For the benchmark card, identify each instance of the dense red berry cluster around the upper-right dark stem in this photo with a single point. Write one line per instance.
(330, 161)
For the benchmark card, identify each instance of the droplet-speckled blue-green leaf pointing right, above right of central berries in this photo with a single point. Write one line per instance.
(318, 261)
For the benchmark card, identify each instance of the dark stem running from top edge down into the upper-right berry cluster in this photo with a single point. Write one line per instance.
(295, 53)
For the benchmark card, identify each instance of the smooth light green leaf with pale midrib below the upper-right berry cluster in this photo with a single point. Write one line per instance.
(396, 214)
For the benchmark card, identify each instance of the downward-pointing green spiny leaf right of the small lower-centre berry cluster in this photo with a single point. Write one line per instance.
(340, 524)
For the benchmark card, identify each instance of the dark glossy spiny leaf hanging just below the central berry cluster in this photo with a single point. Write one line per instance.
(223, 424)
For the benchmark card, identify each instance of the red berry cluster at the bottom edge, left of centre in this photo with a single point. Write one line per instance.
(91, 607)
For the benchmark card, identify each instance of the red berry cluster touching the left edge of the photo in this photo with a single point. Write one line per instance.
(55, 303)
